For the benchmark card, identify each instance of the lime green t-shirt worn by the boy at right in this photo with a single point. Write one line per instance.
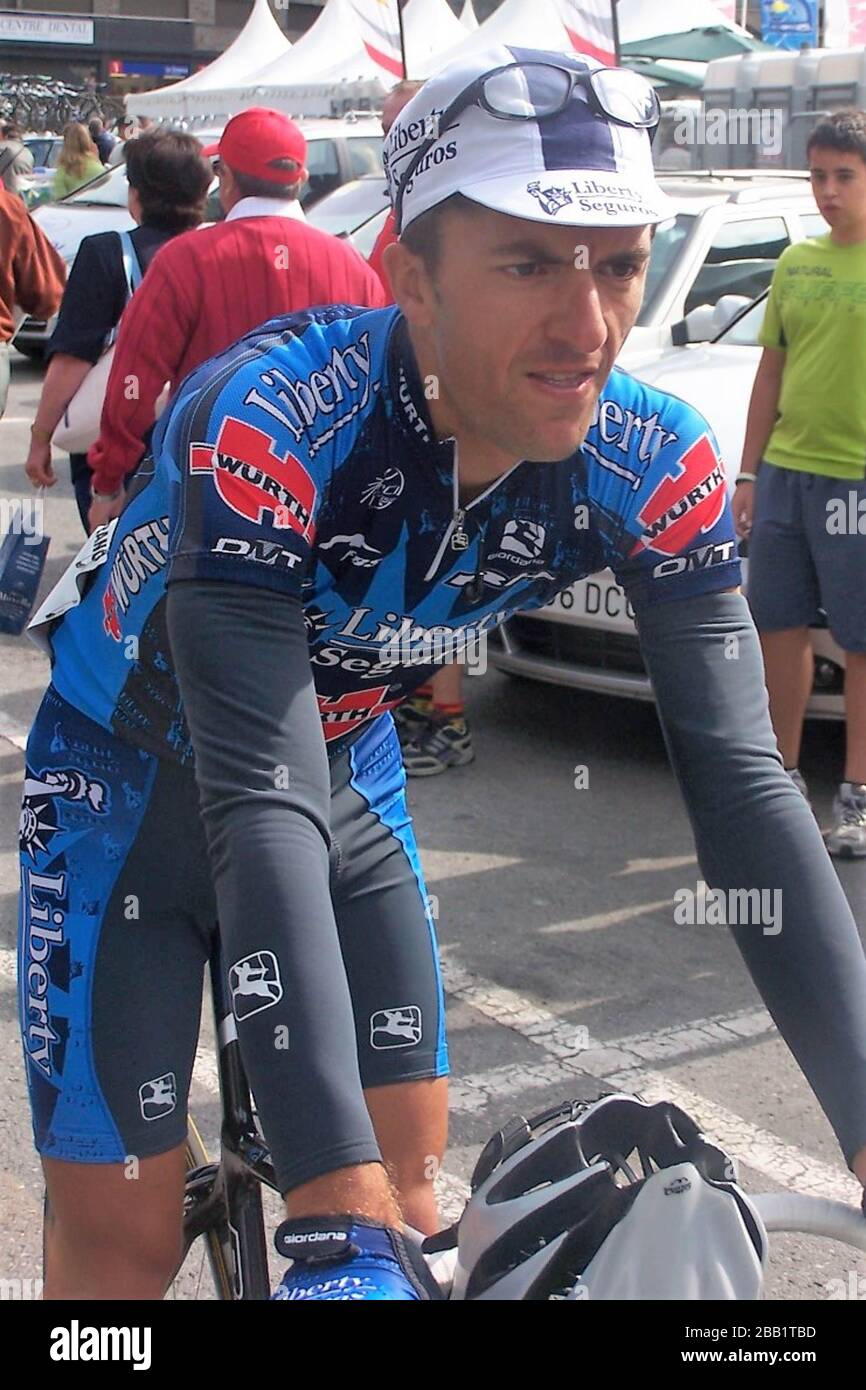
(817, 311)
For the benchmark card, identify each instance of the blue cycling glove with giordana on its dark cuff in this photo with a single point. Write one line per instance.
(351, 1260)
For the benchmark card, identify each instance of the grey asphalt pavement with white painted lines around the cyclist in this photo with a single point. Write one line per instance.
(565, 970)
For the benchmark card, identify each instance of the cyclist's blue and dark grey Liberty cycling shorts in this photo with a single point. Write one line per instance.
(119, 919)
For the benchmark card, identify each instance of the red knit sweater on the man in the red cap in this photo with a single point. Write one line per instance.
(204, 291)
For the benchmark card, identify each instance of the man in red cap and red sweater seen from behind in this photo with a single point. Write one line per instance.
(208, 288)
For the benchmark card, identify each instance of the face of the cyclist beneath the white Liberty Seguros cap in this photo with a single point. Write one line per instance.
(525, 322)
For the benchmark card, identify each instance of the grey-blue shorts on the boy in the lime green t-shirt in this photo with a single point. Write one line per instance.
(808, 553)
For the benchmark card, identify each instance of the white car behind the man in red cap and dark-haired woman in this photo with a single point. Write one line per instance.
(338, 152)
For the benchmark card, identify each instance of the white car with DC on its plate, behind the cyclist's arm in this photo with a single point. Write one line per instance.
(586, 637)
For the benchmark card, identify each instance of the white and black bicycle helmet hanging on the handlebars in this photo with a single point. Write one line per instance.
(547, 1193)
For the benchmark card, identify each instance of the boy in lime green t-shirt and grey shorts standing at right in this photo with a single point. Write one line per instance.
(801, 497)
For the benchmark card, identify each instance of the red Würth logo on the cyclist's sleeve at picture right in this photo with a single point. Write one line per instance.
(685, 507)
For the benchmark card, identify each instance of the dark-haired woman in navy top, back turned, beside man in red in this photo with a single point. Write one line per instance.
(169, 183)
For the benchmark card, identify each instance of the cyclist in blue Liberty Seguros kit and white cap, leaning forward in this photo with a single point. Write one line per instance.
(334, 504)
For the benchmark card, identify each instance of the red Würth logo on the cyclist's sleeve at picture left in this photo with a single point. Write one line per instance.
(252, 479)
